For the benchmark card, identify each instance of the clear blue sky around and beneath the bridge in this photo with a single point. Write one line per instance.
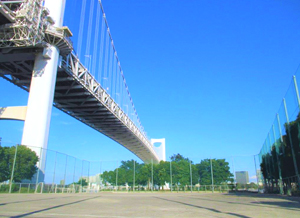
(208, 76)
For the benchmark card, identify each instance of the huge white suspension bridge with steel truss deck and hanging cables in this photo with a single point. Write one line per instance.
(70, 62)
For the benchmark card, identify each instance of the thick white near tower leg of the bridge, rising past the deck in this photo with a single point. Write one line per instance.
(41, 93)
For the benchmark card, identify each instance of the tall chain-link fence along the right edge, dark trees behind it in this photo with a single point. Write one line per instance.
(279, 157)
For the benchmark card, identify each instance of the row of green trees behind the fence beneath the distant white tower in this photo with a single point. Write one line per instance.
(180, 170)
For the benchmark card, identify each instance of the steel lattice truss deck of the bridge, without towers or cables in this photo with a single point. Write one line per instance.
(26, 29)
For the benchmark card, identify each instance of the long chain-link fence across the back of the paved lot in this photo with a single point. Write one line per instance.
(23, 172)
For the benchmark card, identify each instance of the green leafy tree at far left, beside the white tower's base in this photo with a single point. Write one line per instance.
(25, 166)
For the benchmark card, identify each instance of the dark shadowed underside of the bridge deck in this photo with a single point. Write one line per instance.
(72, 98)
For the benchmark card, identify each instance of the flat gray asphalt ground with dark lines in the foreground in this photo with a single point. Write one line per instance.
(148, 205)
